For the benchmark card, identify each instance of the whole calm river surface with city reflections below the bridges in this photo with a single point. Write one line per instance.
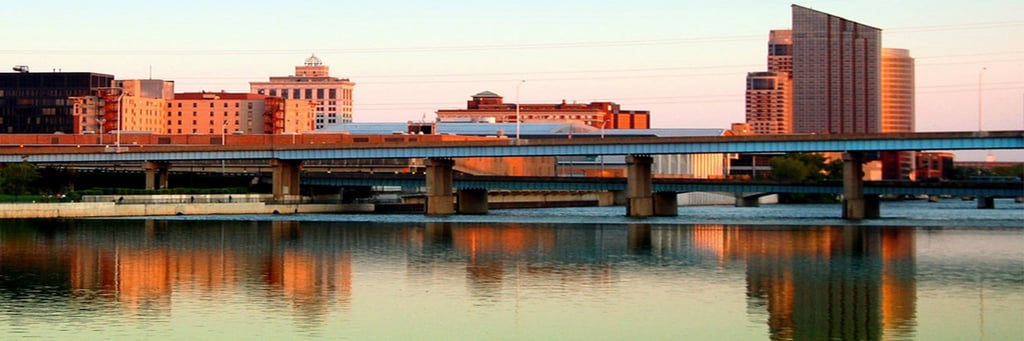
(927, 272)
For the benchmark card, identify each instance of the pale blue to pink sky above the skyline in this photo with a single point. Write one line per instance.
(685, 61)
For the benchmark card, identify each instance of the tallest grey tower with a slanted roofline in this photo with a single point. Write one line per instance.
(837, 71)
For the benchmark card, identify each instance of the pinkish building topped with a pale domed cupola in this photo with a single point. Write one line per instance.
(313, 82)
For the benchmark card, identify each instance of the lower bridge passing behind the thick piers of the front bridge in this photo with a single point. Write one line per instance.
(472, 192)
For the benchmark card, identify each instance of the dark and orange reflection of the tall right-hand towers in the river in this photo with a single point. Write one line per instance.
(824, 283)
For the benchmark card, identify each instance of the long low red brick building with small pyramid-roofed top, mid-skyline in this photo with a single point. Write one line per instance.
(490, 107)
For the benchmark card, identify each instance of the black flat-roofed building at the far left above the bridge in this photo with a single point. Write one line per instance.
(38, 103)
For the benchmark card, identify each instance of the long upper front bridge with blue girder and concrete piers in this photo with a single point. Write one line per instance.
(643, 200)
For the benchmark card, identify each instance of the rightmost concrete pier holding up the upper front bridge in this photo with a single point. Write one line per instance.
(857, 205)
